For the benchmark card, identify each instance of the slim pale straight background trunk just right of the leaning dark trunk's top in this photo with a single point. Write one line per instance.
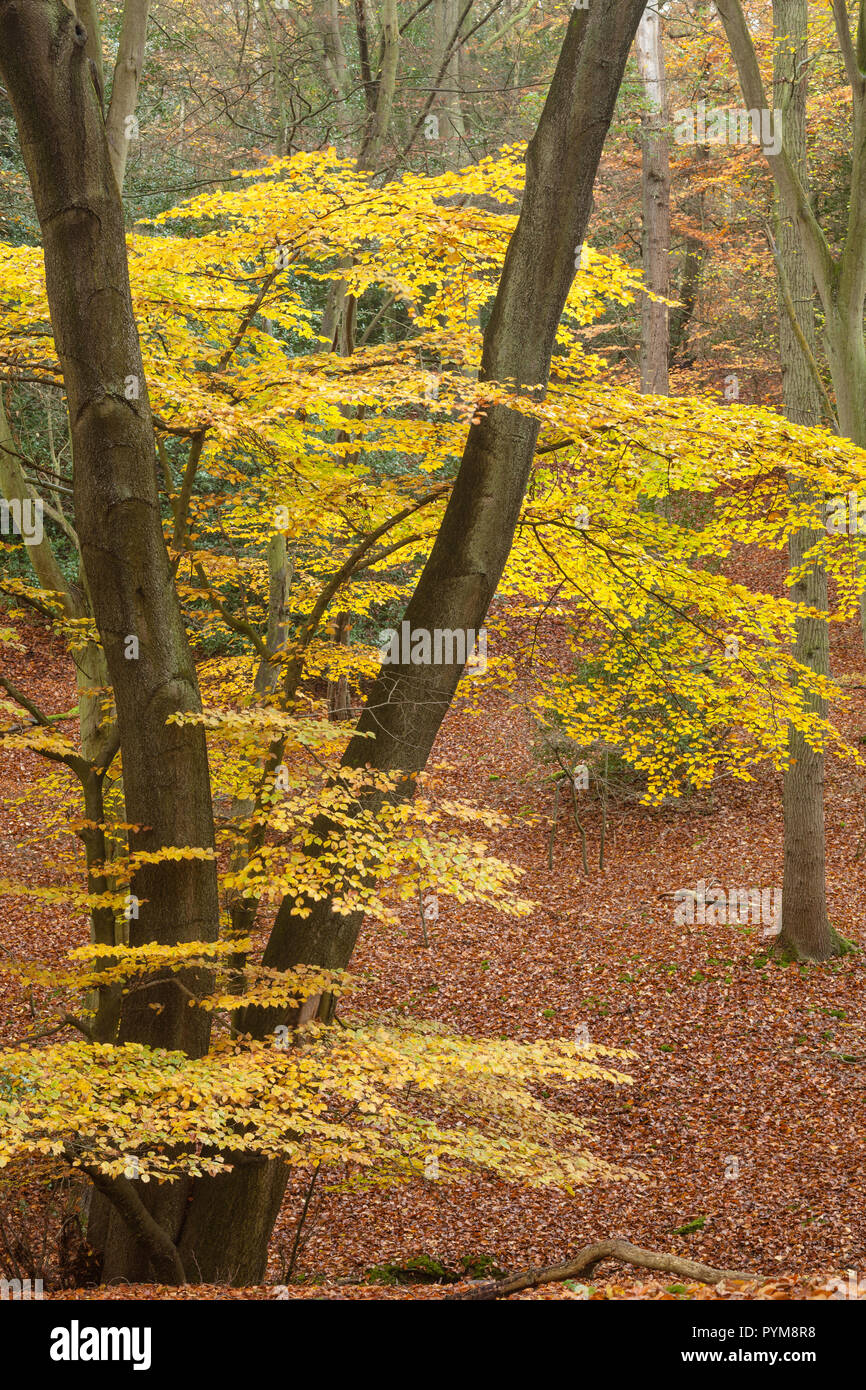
(655, 193)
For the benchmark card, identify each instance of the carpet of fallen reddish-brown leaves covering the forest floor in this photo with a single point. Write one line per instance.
(747, 1113)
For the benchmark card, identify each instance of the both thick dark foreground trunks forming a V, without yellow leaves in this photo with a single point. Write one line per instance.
(226, 1221)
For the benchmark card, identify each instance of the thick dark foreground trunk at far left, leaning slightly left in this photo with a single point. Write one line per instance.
(124, 558)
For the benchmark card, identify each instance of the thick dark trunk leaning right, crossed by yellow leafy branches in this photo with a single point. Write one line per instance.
(224, 1231)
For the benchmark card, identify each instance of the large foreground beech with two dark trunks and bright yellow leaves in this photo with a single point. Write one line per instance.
(272, 519)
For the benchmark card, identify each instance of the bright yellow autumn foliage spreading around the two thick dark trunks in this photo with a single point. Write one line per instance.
(644, 607)
